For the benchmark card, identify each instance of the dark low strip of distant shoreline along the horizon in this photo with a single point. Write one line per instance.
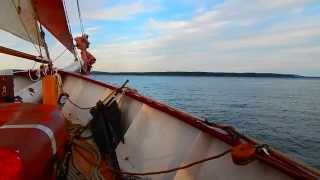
(205, 74)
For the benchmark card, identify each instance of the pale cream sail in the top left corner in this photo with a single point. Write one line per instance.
(18, 18)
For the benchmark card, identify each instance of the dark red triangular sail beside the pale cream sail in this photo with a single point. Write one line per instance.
(52, 16)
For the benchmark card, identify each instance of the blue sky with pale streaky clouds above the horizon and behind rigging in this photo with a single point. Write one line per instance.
(278, 36)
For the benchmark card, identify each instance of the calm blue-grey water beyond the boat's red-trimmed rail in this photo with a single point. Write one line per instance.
(284, 113)
